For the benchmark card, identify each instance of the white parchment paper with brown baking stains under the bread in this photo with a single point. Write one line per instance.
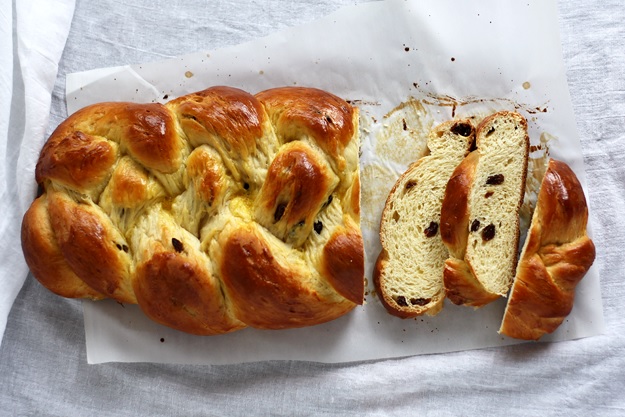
(408, 65)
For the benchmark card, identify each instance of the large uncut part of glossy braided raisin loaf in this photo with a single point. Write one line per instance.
(216, 211)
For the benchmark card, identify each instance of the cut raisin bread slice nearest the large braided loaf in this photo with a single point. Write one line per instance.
(408, 272)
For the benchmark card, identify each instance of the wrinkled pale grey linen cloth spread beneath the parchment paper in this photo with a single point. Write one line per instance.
(43, 368)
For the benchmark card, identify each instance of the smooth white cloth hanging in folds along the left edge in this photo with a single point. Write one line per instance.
(39, 37)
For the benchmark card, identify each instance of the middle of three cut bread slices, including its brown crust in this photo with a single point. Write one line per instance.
(480, 212)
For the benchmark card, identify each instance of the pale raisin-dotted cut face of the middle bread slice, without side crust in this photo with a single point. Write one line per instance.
(494, 202)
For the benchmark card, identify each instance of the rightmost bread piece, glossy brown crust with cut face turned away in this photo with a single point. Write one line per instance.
(556, 256)
